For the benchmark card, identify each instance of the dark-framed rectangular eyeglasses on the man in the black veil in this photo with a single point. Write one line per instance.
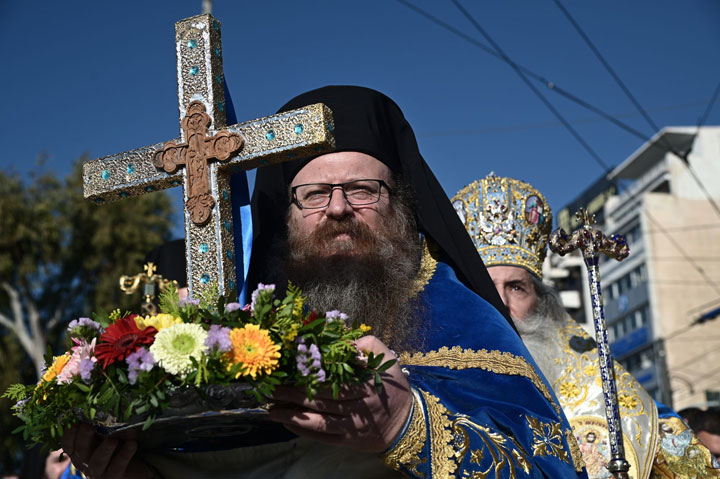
(357, 193)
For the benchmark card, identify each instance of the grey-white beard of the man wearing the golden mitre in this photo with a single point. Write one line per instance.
(539, 330)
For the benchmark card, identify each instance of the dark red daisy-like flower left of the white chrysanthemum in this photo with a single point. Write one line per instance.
(121, 339)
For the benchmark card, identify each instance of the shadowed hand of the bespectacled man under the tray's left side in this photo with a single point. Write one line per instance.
(102, 458)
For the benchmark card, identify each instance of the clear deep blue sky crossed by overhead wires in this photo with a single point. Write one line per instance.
(99, 77)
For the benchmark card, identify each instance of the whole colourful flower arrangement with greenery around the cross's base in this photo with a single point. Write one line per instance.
(120, 367)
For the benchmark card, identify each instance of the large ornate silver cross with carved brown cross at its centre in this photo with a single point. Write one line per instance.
(207, 153)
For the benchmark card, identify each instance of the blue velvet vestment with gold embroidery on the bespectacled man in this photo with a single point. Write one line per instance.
(481, 407)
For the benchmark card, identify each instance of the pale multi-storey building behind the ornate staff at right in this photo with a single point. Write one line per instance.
(672, 276)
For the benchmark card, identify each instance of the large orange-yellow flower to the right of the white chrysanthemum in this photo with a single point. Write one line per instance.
(253, 348)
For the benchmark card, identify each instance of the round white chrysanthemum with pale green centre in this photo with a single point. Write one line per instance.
(175, 345)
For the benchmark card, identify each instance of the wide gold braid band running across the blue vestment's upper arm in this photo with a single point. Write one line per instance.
(497, 362)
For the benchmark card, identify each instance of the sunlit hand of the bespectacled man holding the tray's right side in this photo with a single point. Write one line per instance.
(360, 418)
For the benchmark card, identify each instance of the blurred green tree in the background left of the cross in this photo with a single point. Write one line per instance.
(61, 258)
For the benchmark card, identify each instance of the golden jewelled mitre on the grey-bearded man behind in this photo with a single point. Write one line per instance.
(508, 220)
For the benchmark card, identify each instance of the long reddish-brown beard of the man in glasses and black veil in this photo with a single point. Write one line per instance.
(370, 276)
